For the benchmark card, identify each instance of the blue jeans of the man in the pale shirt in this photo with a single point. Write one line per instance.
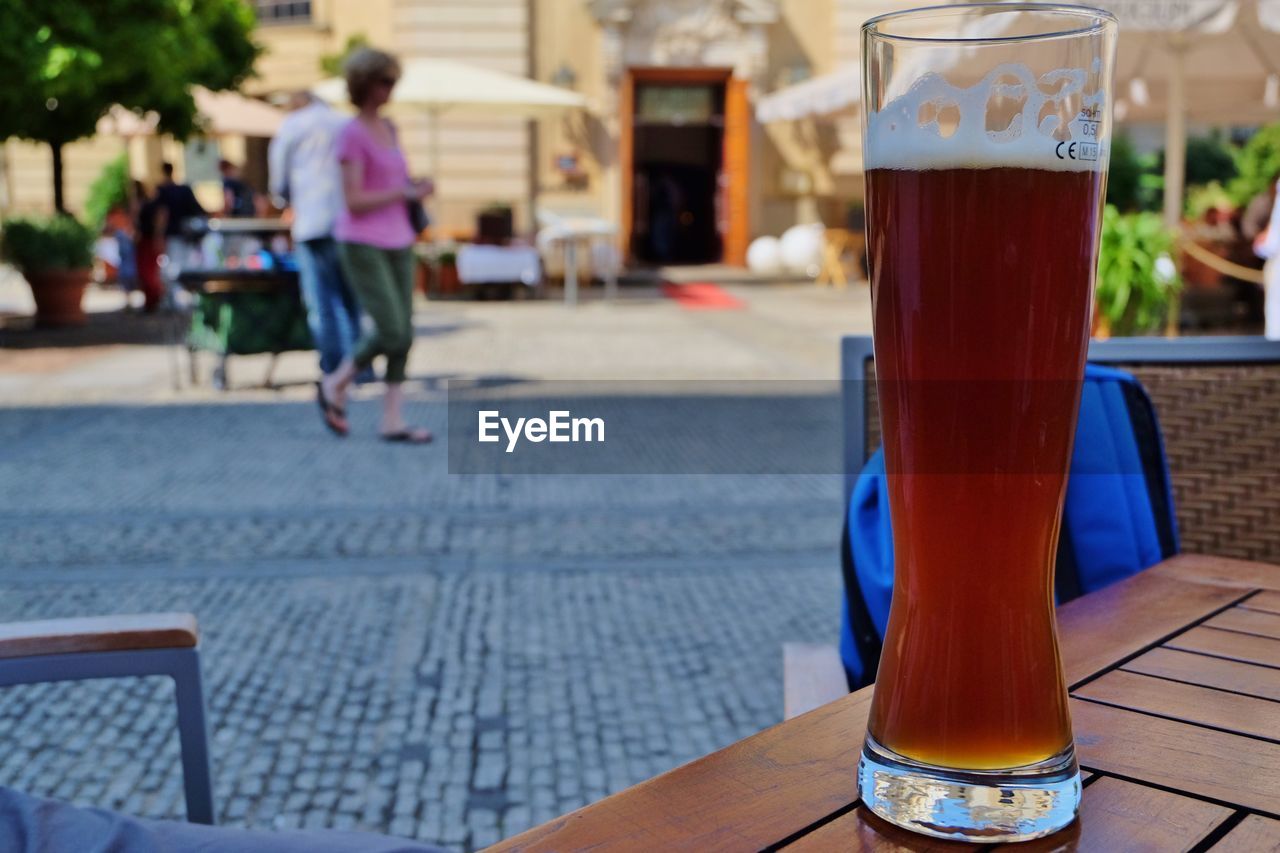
(333, 313)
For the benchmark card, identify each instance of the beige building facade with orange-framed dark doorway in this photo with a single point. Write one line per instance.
(670, 149)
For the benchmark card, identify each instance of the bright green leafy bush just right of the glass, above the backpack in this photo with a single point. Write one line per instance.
(1133, 293)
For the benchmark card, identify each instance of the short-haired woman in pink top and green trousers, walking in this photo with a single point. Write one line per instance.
(376, 239)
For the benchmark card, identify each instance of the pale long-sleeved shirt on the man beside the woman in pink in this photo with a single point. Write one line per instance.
(304, 162)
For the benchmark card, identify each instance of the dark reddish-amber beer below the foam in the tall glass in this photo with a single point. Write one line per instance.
(981, 293)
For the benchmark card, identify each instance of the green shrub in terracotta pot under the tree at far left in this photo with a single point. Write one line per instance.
(56, 257)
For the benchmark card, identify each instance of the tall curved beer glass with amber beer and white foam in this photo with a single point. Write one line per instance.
(986, 138)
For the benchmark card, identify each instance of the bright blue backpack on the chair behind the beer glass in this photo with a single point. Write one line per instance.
(1118, 518)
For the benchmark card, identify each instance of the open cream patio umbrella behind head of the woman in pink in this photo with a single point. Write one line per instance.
(445, 86)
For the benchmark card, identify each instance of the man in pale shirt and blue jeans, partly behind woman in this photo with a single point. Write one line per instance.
(305, 177)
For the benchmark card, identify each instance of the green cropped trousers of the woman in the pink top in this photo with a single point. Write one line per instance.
(383, 281)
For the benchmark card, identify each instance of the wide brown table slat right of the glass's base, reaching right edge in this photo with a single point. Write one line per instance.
(1200, 761)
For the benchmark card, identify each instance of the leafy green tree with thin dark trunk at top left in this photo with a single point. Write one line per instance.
(77, 58)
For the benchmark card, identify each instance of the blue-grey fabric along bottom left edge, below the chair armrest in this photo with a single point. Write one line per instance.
(35, 825)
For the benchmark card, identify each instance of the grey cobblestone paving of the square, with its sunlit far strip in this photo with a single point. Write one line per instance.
(388, 646)
